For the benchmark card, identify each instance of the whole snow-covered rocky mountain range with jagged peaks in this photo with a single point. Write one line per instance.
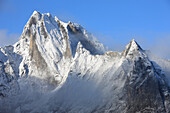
(58, 67)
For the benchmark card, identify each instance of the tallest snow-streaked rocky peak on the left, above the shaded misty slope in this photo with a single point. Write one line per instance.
(48, 46)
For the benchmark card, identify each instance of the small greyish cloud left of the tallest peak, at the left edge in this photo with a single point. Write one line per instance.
(7, 39)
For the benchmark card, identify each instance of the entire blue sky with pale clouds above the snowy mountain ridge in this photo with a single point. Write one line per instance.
(113, 22)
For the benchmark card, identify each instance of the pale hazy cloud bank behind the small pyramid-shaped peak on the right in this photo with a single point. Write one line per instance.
(159, 44)
